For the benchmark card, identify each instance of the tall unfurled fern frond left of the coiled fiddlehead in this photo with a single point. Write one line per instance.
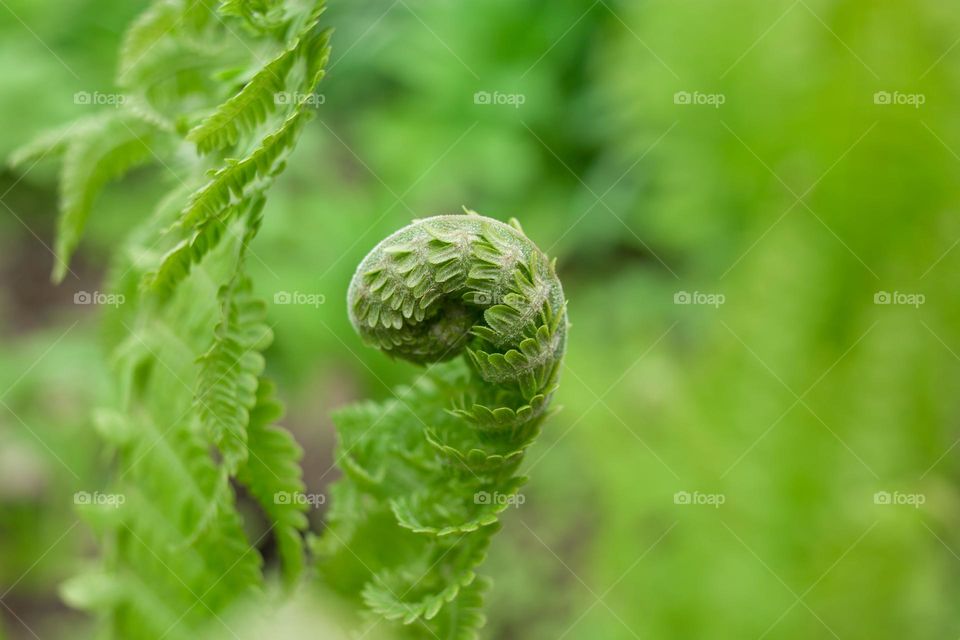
(215, 95)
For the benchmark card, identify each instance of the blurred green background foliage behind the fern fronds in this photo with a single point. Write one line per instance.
(775, 459)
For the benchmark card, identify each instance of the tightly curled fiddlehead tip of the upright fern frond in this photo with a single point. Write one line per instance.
(416, 293)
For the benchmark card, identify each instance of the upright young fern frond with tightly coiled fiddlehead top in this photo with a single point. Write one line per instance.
(427, 473)
